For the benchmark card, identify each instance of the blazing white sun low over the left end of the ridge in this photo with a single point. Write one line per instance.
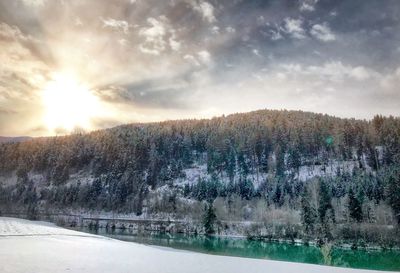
(69, 104)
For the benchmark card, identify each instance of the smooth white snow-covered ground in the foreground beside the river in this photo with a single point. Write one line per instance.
(40, 247)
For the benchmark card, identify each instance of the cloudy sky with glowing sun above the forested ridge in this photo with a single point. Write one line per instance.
(95, 64)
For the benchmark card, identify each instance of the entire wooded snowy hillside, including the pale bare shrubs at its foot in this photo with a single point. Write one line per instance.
(302, 171)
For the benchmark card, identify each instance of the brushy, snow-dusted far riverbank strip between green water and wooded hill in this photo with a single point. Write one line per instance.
(357, 235)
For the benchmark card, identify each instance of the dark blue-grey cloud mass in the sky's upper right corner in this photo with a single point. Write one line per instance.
(366, 31)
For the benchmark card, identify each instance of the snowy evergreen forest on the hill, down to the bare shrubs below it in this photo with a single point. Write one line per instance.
(264, 155)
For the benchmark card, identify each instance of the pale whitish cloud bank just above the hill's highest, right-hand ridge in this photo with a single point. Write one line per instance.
(332, 87)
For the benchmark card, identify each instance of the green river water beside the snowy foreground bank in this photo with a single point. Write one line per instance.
(240, 247)
